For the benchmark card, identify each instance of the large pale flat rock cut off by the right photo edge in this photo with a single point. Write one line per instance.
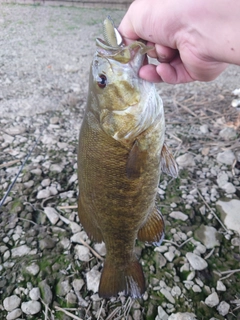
(230, 213)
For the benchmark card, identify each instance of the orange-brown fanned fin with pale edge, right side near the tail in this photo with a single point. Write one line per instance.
(153, 230)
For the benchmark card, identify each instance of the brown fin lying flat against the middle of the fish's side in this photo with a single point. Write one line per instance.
(136, 161)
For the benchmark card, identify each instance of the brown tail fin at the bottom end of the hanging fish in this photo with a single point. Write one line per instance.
(128, 279)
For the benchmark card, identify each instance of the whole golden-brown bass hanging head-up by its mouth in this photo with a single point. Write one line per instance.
(121, 154)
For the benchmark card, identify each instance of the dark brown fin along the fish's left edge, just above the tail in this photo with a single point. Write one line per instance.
(89, 223)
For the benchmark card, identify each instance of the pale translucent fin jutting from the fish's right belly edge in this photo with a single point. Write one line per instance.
(168, 163)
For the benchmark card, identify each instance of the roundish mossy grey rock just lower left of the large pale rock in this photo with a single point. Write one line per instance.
(208, 236)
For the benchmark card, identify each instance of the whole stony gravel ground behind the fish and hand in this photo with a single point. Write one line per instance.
(48, 266)
